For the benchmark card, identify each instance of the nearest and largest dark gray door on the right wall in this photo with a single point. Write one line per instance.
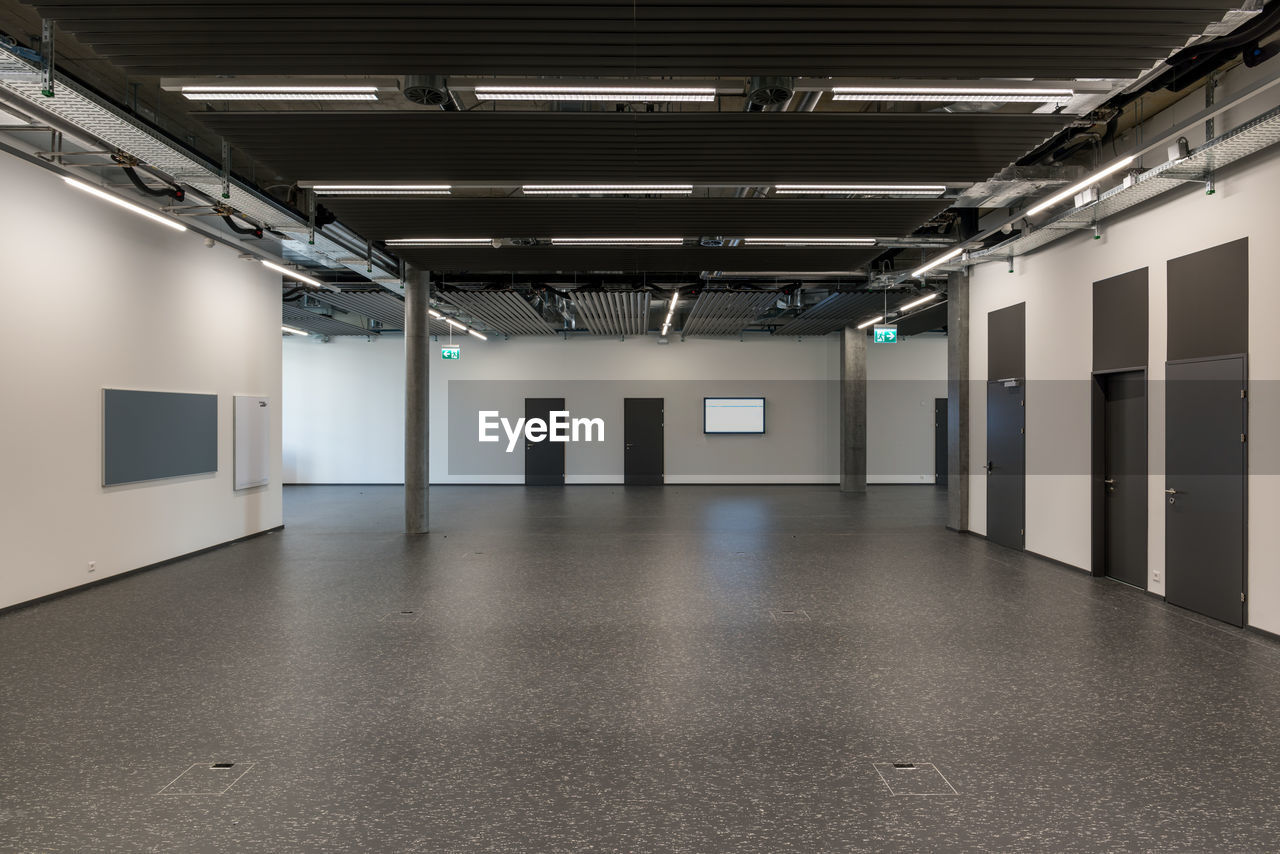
(1206, 487)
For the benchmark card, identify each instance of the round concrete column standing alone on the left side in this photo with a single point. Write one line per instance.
(418, 369)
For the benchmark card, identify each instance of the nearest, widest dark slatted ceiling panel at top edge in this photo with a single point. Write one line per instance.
(624, 38)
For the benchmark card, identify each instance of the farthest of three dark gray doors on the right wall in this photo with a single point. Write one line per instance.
(1007, 463)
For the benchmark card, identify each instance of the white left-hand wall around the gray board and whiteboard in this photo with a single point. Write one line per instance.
(102, 299)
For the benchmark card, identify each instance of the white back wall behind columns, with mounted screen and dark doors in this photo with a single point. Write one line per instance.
(345, 407)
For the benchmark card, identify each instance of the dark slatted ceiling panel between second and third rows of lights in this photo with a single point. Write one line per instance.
(546, 218)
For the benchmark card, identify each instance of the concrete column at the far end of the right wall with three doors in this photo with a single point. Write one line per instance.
(958, 401)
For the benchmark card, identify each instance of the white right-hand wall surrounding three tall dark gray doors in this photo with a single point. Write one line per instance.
(1057, 285)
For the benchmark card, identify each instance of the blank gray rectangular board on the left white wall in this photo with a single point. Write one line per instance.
(158, 435)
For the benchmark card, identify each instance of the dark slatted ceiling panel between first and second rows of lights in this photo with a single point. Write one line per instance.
(740, 149)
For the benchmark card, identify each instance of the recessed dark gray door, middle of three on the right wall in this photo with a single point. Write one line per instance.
(1124, 472)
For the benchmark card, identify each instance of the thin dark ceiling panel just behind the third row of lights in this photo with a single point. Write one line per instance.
(623, 259)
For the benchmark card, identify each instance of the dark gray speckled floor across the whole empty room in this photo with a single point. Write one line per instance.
(597, 670)
